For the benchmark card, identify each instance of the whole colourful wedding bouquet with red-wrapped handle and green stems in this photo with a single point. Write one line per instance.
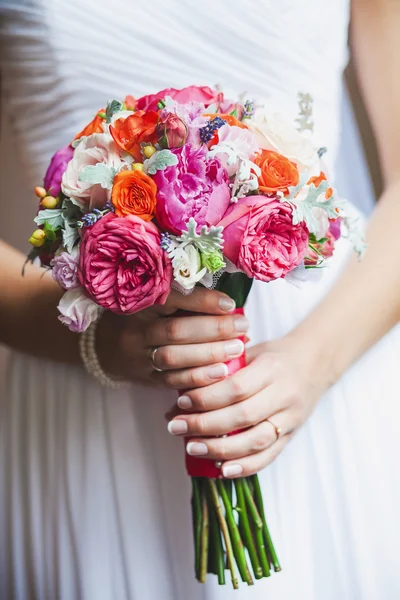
(178, 189)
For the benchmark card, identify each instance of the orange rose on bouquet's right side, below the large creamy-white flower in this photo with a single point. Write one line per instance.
(277, 172)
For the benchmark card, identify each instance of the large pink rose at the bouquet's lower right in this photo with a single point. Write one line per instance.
(260, 238)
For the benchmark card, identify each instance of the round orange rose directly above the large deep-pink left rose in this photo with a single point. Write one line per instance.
(134, 193)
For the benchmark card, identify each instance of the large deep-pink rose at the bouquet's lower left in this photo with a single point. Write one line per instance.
(122, 266)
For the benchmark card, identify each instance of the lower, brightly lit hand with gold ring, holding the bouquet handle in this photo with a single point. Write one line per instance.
(270, 399)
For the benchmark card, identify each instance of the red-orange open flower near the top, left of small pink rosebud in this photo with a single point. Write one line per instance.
(130, 132)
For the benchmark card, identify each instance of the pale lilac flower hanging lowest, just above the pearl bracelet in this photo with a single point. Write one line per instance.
(77, 310)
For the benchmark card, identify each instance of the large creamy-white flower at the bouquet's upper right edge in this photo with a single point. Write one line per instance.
(275, 133)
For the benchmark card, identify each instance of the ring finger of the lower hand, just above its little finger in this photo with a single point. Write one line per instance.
(252, 441)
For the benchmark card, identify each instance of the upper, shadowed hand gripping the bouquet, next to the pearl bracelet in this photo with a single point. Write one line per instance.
(191, 350)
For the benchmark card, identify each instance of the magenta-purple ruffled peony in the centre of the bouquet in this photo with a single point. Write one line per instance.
(195, 187)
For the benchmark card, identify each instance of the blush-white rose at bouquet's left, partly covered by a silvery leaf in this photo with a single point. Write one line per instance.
(94, 149)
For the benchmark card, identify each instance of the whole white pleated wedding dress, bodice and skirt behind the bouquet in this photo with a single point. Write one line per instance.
(94, 499)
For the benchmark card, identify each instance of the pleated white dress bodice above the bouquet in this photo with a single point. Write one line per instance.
(62, 60)
